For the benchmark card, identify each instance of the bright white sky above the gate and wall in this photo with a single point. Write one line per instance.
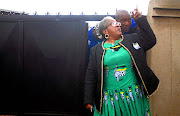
(76, 7)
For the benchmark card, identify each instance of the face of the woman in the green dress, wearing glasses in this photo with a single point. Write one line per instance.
(113, 29)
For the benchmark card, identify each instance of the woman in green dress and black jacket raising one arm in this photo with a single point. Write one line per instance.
(118, 80)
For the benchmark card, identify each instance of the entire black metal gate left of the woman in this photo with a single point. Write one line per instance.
(42, 66)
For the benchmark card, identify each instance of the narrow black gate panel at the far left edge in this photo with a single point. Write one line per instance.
(11, 66)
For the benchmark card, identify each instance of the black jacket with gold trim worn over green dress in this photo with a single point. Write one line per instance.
(94, 73)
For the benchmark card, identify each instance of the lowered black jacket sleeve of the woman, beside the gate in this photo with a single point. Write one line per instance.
(90, 80)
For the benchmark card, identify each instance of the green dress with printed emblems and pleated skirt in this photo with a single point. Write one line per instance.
(123, 94)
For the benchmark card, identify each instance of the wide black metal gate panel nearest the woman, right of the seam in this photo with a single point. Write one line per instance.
(54, 56)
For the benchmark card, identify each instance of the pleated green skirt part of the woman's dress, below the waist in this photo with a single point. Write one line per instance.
(126, 101)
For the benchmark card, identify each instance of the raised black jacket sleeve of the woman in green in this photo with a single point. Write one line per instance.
(146, 34)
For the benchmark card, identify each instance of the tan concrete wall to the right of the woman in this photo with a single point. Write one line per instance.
(164, 58)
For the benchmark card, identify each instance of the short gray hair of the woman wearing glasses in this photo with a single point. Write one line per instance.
(103, 24)
